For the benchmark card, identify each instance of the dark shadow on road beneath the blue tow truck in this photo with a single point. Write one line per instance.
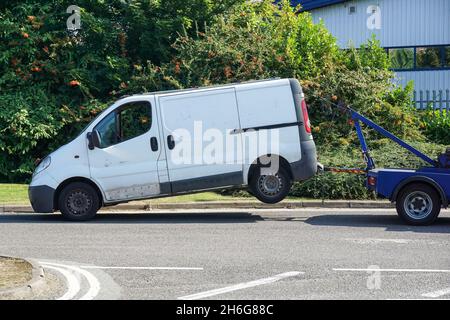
(389, 222)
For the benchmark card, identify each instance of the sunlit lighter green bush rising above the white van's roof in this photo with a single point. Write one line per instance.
(254, 41)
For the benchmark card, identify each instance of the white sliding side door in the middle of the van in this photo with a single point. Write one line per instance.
(201, 151)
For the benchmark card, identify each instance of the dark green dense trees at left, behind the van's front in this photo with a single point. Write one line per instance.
(53, 82)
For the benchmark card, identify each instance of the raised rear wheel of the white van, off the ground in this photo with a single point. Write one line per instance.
(270, 188)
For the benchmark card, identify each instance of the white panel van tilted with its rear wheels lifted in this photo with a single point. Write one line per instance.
(254, 134)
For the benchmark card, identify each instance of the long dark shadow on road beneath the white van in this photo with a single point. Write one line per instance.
(132, 218)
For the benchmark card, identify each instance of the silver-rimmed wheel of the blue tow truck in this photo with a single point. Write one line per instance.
(418, 204)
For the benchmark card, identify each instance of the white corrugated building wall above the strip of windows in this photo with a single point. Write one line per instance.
(403, 22)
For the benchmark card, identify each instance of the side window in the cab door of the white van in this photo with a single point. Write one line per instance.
(125, 123)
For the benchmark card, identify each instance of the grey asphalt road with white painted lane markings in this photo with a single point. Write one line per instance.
(241, 254)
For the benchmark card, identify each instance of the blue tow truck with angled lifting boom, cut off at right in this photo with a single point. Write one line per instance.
(419, 194)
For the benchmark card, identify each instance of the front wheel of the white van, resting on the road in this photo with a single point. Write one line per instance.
(78, 201)
